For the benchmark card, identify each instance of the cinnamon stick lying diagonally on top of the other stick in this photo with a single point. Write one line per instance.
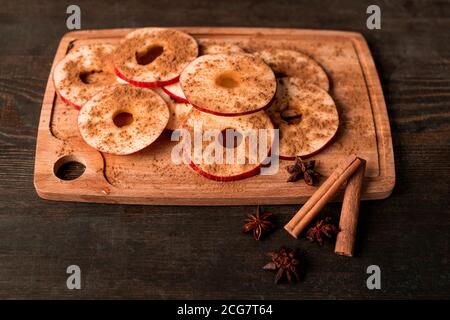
(322, 196)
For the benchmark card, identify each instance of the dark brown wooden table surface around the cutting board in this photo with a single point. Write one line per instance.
(167, 252)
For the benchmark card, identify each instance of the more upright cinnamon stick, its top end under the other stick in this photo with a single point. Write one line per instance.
(345, 240)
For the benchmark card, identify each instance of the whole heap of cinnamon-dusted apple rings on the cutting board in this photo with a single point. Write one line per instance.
(155, 80)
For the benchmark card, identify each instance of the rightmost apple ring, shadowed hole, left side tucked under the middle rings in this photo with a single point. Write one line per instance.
(306, 116)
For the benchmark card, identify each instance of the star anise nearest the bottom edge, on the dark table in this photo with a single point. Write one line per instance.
(285, 263)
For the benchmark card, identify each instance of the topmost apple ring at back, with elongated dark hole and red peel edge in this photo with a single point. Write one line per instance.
(154, 57)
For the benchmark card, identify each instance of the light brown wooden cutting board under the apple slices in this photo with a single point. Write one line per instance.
(149, 177)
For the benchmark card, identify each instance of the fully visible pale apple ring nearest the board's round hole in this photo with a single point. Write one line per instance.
(123, 119)
